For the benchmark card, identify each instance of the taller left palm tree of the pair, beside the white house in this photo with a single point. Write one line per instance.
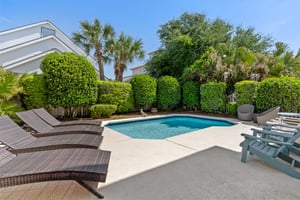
(93, 37)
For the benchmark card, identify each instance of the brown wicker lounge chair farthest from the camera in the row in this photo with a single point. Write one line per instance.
(47, 117)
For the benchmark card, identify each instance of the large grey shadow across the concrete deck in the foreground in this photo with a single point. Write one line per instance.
(215, 173)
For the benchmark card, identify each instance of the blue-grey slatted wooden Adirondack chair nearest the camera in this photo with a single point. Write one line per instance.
(274, 152)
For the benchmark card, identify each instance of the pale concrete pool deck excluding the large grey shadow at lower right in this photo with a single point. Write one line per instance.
(134, 156)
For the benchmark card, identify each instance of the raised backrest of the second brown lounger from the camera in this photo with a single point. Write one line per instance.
(13, 135)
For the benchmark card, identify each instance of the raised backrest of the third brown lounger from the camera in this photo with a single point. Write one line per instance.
(34, 121)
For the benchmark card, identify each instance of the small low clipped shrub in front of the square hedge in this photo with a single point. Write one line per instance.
(102, 110)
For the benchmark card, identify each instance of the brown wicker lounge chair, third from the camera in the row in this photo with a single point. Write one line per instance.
(44, 129)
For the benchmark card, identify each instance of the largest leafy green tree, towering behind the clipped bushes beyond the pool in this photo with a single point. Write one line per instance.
(187, 40)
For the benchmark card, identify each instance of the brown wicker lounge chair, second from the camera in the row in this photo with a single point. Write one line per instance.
(19, 141)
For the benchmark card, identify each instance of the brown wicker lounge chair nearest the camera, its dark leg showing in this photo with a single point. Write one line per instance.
(85, 166)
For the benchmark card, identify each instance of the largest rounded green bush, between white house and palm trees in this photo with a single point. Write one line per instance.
(70, 80)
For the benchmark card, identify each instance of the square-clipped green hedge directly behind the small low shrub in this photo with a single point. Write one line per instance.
(116, 93)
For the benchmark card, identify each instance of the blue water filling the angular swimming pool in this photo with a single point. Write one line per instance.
(164, 127)
